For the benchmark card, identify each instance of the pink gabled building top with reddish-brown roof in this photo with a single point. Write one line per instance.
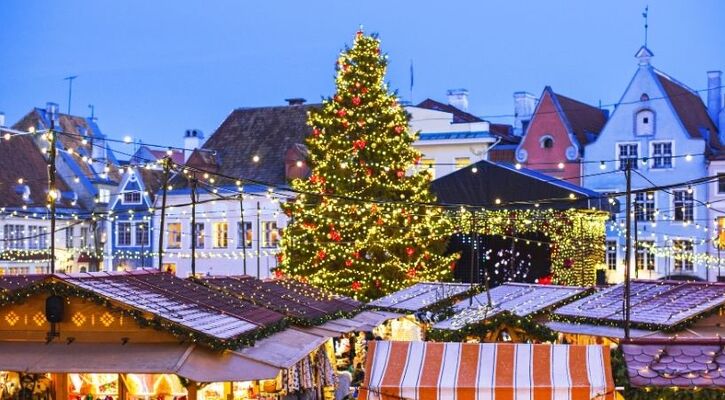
(554, 139)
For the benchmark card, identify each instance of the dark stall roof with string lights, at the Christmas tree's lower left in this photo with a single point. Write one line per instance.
(293, 299)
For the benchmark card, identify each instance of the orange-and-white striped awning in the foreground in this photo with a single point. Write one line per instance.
(428, 370)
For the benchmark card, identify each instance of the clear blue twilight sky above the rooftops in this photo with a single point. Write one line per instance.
(154, 68)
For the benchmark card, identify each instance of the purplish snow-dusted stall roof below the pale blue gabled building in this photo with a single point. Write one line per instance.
(654, 304)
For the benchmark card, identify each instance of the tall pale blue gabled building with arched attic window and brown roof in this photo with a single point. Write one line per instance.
(661, 129)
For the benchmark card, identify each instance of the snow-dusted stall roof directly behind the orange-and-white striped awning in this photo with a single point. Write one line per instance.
(520, 299)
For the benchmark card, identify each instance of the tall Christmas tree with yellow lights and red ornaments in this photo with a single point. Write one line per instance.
(365, 223)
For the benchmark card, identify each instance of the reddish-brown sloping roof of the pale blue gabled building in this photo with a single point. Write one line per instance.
(691, 110)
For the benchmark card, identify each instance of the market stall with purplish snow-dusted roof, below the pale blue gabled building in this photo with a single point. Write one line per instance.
(659, 309)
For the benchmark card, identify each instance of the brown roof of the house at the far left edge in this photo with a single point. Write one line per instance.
(20, 157)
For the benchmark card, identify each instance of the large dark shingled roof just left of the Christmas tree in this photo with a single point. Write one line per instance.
(265, 132)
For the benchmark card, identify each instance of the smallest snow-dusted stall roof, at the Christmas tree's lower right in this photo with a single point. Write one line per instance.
(420, 296)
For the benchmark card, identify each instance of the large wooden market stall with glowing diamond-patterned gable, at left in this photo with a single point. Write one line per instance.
(150, 335)
